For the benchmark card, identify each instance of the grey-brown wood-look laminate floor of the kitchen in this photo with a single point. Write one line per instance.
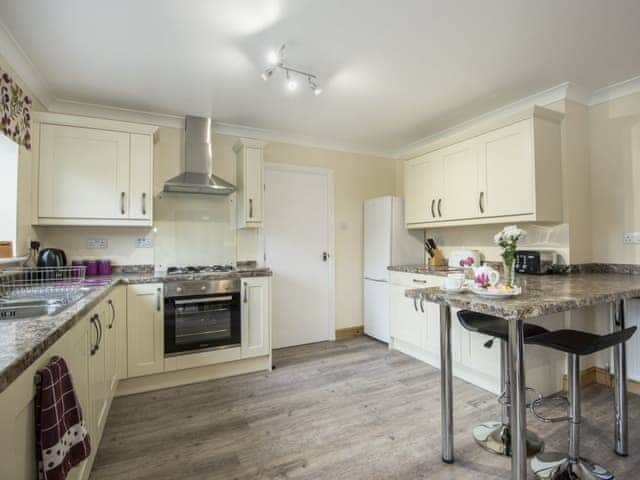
(344, 410)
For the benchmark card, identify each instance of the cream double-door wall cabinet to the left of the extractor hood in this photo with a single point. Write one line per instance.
(92, 172)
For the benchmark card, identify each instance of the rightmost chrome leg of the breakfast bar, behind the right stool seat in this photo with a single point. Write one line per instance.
(620, 371)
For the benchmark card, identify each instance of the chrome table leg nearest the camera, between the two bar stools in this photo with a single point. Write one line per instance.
(518, 401)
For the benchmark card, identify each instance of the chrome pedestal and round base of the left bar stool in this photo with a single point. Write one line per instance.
(495, 437)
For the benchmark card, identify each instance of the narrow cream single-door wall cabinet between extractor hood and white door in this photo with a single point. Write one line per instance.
(249, 182)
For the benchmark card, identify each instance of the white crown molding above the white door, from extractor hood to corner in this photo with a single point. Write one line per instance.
(274, 136)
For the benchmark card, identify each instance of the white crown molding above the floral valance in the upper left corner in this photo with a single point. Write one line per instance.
(24, 68)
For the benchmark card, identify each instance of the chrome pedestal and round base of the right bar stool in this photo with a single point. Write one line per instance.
(556, 466)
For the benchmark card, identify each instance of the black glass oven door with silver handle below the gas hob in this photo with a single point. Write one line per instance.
(201, 323)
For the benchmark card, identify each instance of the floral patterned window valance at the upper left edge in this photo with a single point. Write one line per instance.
(16, 111)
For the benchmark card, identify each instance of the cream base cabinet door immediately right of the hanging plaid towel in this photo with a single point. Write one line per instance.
(98, 389)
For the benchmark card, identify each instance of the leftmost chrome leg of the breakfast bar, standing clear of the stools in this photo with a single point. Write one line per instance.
(446, 385)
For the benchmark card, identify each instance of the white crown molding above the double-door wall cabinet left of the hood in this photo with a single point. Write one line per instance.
(73, 107)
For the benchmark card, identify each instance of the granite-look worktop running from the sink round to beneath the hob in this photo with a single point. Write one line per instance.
(23, 341)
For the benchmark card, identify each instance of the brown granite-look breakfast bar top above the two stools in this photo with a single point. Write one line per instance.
(542, 294)
